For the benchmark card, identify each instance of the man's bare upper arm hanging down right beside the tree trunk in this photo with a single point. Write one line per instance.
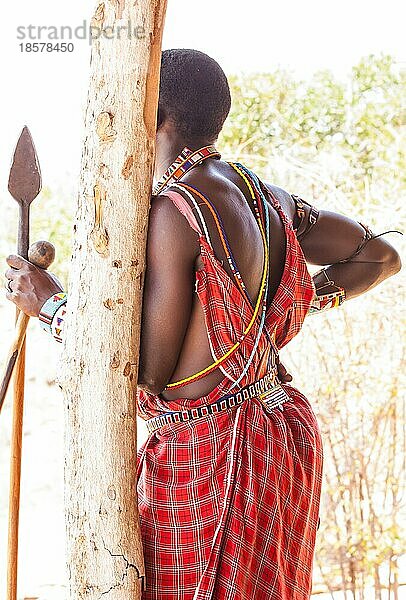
(172, 250)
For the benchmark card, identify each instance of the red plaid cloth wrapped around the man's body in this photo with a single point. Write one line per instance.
(229, 503)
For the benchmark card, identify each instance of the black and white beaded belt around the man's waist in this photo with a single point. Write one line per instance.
(267, 389)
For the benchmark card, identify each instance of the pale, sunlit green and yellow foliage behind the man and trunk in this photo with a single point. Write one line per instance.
(339, 144)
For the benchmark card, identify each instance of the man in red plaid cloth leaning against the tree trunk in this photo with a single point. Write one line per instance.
(230, 477)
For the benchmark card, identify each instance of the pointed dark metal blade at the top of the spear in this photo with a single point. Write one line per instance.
(25, 182)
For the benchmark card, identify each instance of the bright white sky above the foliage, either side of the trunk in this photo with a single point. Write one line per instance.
(47, 92)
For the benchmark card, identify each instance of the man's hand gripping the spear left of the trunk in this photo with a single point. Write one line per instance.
(29, 286)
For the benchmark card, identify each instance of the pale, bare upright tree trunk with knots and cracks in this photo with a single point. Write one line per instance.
(100, 360)
